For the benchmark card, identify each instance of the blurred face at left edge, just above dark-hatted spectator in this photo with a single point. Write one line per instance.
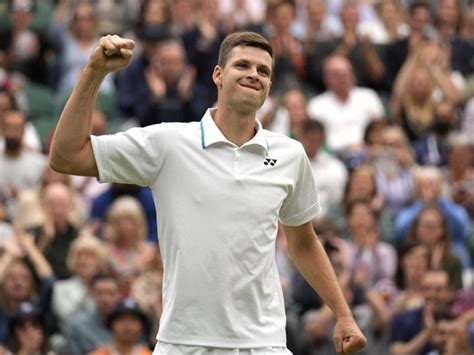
(18, 282)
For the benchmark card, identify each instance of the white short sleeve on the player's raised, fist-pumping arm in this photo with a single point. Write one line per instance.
(131, 157)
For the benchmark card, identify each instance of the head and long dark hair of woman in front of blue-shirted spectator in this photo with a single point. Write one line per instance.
(430, 229)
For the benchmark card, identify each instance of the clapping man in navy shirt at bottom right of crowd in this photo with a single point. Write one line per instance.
(419, 331)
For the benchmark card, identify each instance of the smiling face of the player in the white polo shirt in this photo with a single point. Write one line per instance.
(244, 82)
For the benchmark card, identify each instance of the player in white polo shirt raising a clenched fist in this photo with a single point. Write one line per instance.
(220, 187)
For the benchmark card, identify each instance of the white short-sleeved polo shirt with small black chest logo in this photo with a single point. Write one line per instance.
(218, 207)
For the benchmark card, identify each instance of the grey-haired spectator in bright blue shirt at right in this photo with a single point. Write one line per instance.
(428, 191)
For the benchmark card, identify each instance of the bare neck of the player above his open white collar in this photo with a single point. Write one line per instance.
(236, 127)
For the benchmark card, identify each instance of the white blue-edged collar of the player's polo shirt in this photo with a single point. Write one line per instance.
(211, 134)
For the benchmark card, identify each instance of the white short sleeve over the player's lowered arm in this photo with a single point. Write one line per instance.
(302, 203)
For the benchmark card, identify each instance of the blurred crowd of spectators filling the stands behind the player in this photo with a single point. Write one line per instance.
(379, 92)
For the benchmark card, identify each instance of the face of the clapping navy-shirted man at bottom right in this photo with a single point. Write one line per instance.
(436, 290)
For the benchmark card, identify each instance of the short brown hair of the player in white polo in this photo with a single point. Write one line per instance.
(244, 39)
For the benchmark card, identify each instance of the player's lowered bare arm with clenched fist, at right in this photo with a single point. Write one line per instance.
(311, 260)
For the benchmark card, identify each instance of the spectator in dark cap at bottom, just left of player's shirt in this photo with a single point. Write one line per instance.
(128, 325)
